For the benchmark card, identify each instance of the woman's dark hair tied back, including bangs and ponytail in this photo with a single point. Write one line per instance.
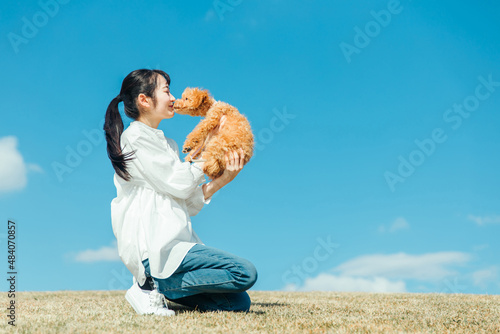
(137, 82)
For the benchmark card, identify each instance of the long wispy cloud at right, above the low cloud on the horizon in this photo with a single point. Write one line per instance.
(426, 267)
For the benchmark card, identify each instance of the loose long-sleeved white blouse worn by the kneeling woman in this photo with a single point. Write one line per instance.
(151, 212)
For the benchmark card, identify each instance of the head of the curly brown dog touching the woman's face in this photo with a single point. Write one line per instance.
(194, 102)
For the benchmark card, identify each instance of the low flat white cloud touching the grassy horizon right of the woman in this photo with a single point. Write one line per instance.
(328, 282)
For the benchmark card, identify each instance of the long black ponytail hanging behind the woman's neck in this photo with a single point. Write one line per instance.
(113, 127)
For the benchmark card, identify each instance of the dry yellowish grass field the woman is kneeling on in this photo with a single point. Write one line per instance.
(271, 312)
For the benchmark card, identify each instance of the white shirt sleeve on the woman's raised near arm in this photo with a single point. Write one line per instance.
(156, 163)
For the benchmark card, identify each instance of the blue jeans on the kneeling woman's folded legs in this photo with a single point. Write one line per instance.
(209, 279)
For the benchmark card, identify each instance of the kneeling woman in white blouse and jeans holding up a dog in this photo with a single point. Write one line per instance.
(156, 195)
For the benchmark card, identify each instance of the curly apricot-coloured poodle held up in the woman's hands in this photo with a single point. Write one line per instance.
(235, 134)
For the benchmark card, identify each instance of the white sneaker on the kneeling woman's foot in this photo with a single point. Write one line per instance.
(147, 302)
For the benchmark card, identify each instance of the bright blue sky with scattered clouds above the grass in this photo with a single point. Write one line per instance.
(376, 167)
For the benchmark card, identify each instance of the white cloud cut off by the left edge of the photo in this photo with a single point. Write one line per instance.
(13, 170)
